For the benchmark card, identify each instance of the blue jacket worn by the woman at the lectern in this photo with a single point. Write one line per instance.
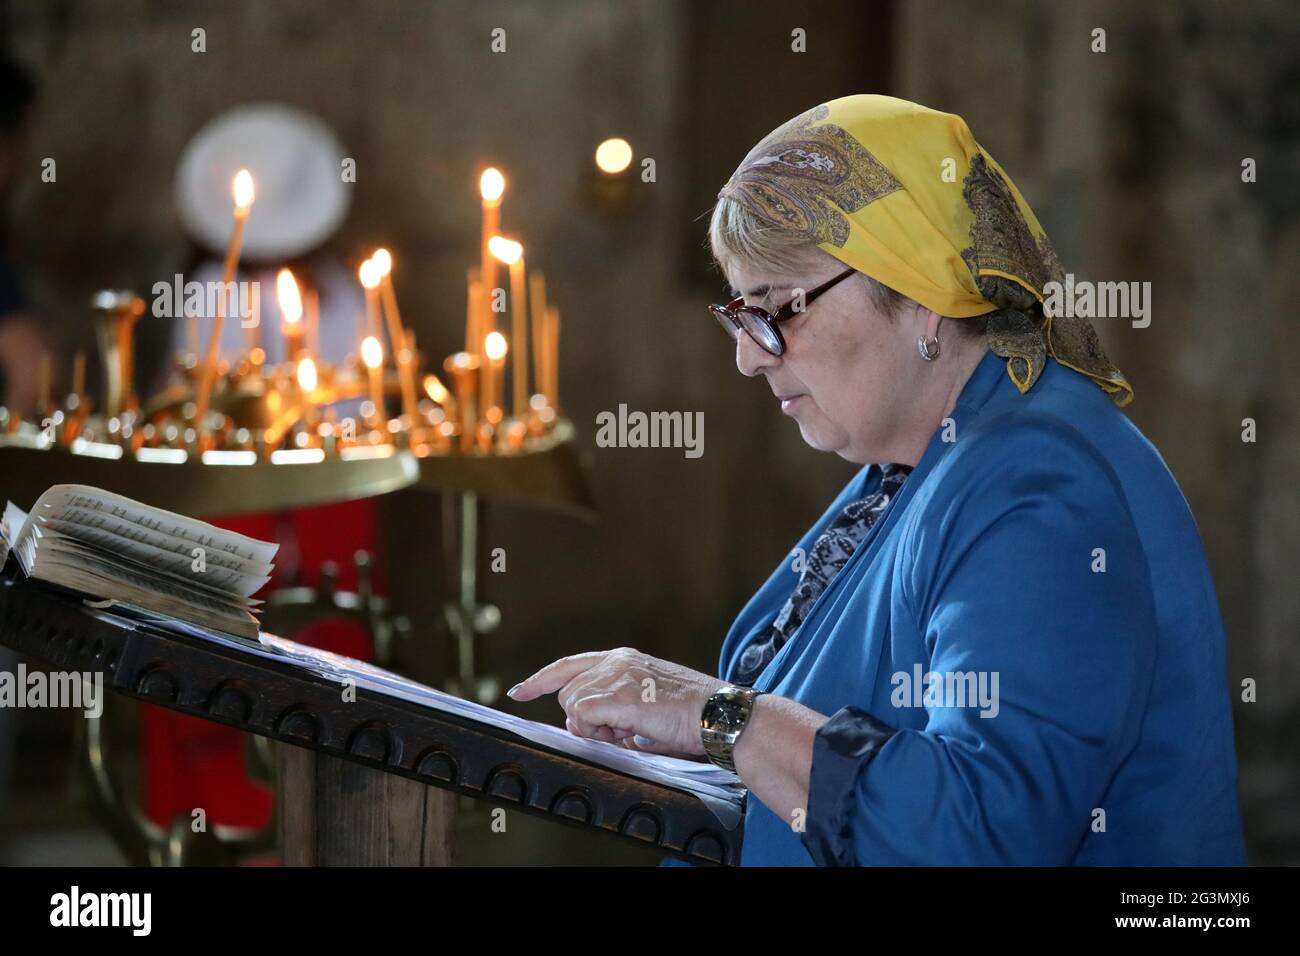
(1042, 553)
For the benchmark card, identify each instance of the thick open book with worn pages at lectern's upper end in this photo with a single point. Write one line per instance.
(140, 557)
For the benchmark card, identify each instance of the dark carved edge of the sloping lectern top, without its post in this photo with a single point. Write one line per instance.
(280, 702)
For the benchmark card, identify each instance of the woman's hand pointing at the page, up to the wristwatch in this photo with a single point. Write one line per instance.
(629, 698)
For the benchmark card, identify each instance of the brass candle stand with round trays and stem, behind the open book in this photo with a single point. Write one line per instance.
(272, 440)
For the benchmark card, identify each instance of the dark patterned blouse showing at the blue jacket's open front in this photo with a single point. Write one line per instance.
(830, 553)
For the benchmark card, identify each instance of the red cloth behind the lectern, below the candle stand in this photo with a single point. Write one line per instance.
(190, 763)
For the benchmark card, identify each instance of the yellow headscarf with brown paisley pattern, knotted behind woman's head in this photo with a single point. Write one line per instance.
(905, 196)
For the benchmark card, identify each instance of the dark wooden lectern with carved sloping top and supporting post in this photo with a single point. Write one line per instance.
(367, 782)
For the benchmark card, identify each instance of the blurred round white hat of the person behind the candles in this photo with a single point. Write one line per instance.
(296, 162)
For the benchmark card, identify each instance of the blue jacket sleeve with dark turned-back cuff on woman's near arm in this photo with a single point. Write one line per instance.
(1002, 572)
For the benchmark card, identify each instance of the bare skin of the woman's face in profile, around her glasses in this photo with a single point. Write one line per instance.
(851, 375)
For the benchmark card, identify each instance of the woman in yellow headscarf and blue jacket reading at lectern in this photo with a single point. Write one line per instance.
(1004, 646)
